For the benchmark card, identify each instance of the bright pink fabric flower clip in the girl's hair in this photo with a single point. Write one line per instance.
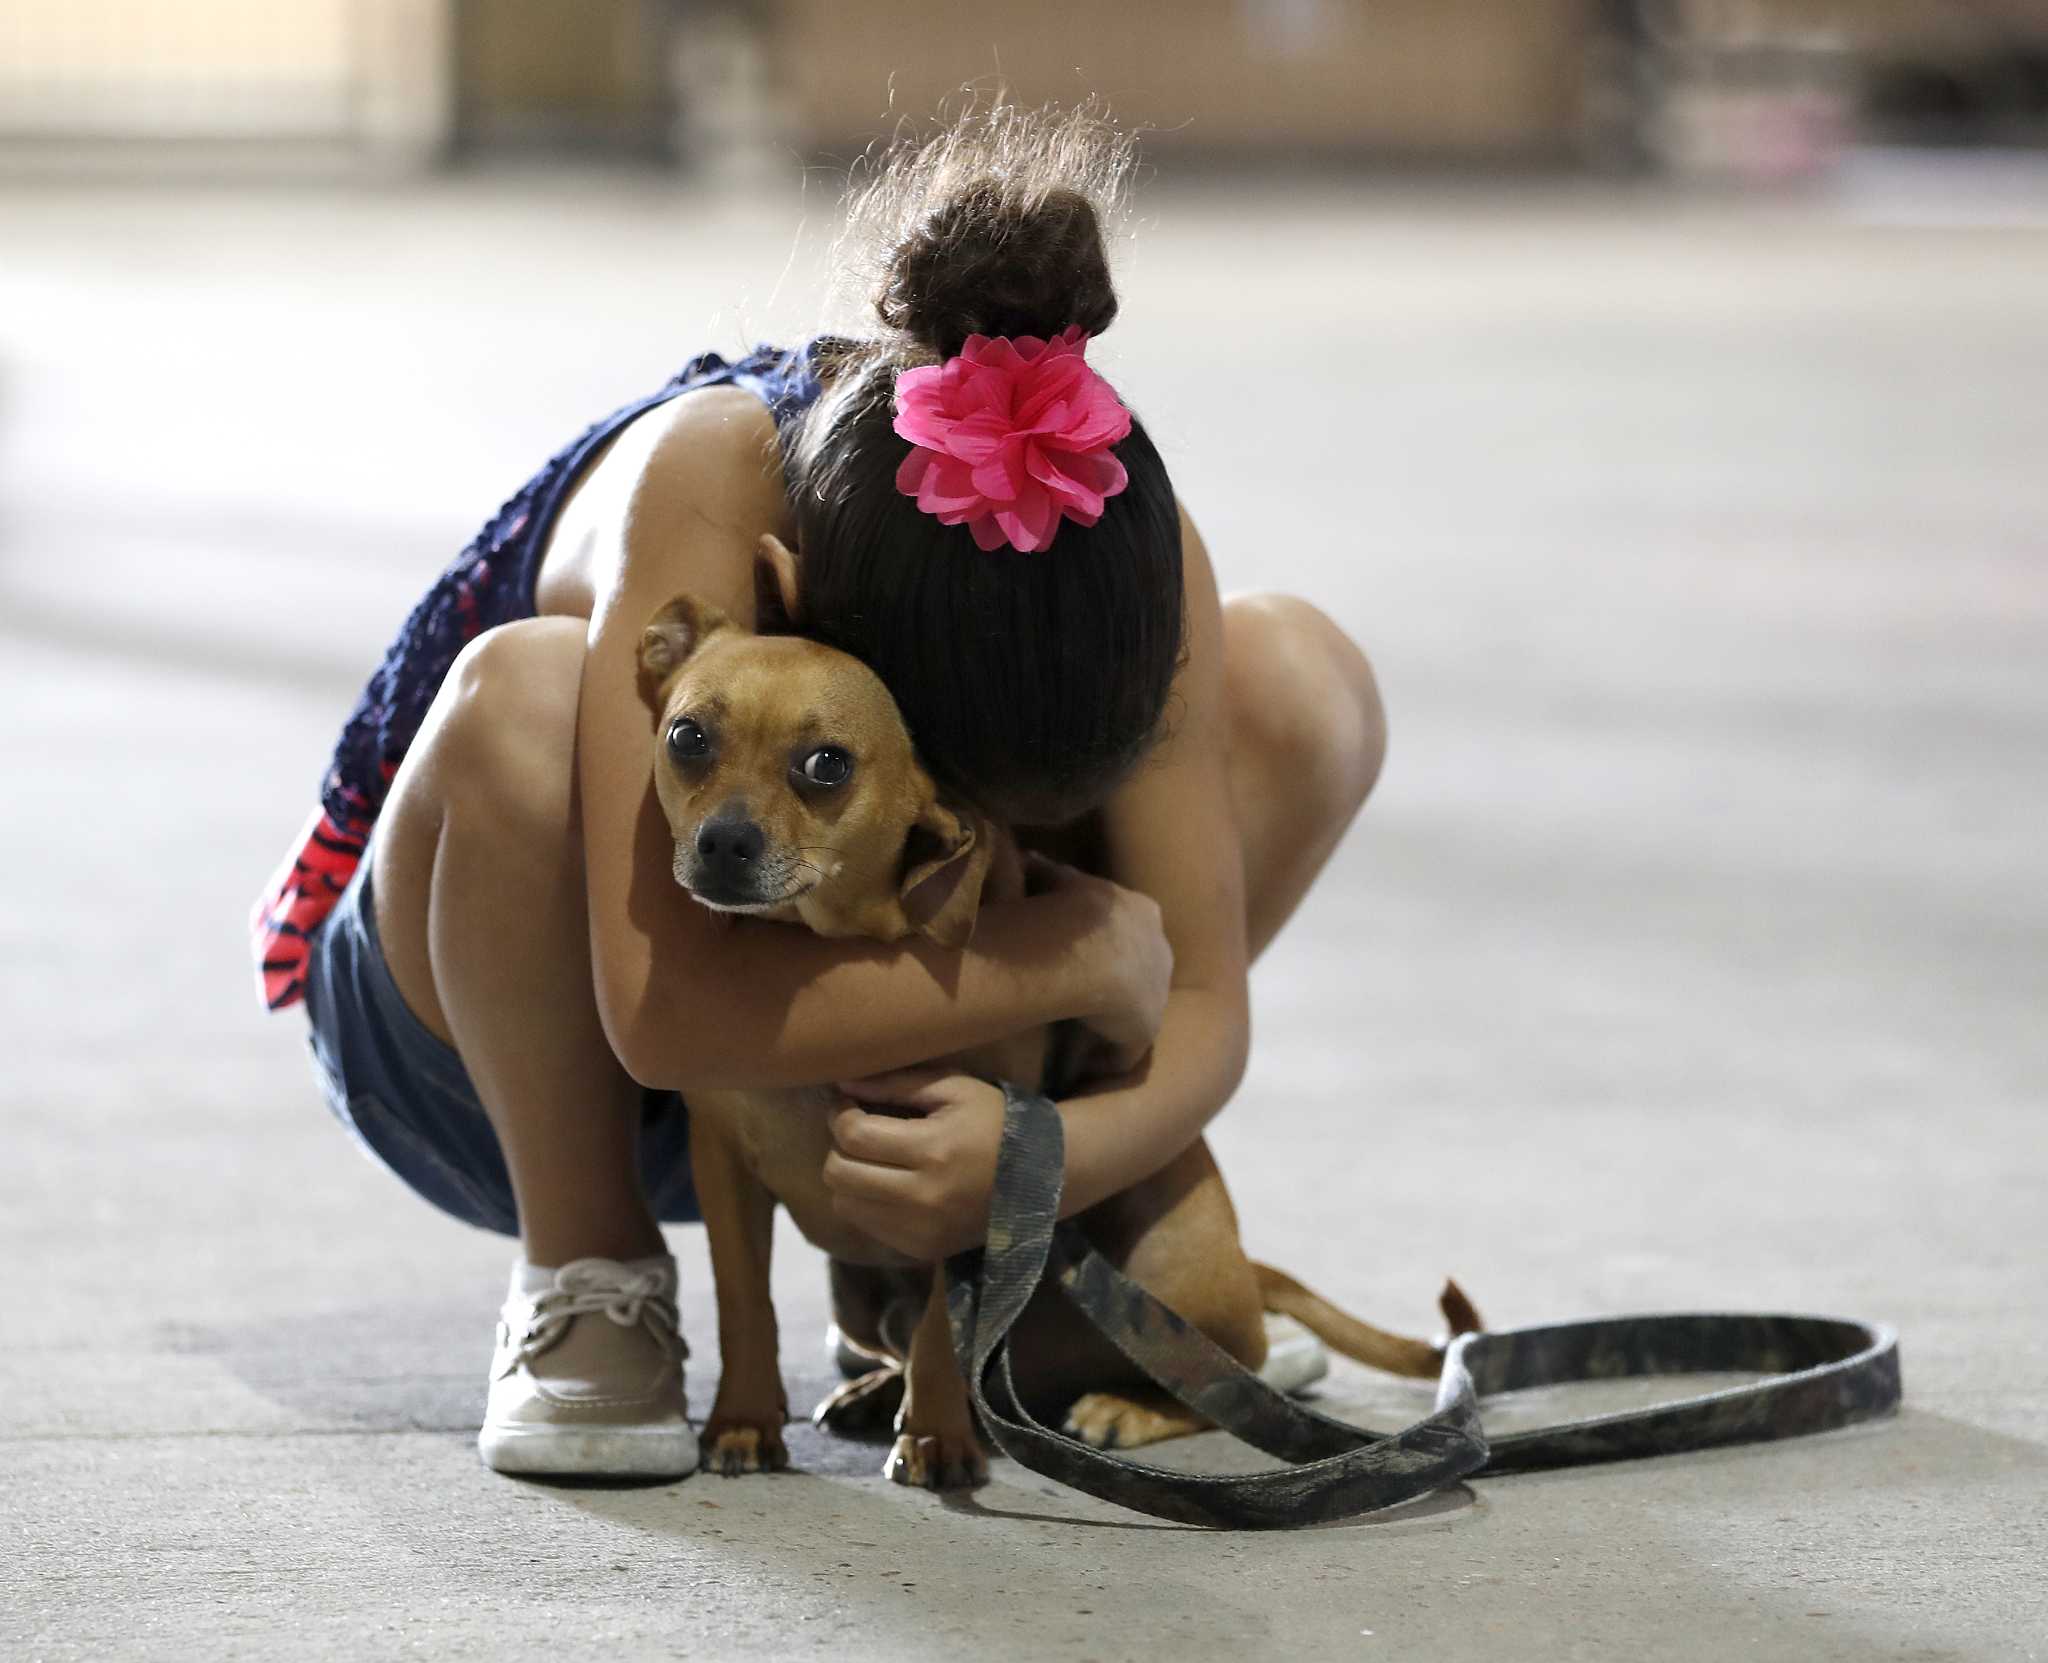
(1011, 437)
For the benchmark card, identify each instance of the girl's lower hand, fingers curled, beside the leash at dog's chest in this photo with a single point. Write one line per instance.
(921, 1179)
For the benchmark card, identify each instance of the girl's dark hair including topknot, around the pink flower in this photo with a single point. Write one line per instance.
(1031, 683)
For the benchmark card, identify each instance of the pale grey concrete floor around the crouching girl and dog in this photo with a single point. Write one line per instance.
(1691, 955)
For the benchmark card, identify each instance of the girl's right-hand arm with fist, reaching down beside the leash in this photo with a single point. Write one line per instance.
(925, 1185)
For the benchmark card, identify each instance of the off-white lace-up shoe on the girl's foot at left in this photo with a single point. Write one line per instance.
(589, 1375)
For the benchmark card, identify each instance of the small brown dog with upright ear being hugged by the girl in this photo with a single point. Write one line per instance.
(794, 794)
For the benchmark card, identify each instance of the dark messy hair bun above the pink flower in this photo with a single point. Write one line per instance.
(998, 263)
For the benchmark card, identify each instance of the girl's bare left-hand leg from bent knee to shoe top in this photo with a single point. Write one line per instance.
(480, 904)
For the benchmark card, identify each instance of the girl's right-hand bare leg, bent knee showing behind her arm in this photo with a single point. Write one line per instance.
(1308, 740)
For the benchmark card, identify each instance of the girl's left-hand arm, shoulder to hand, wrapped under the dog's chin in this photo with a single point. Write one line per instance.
(691, 1000)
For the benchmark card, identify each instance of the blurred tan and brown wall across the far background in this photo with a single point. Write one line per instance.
(1752, 89)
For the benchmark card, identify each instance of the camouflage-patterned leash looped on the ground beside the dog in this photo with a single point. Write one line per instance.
(1828, 1373)
